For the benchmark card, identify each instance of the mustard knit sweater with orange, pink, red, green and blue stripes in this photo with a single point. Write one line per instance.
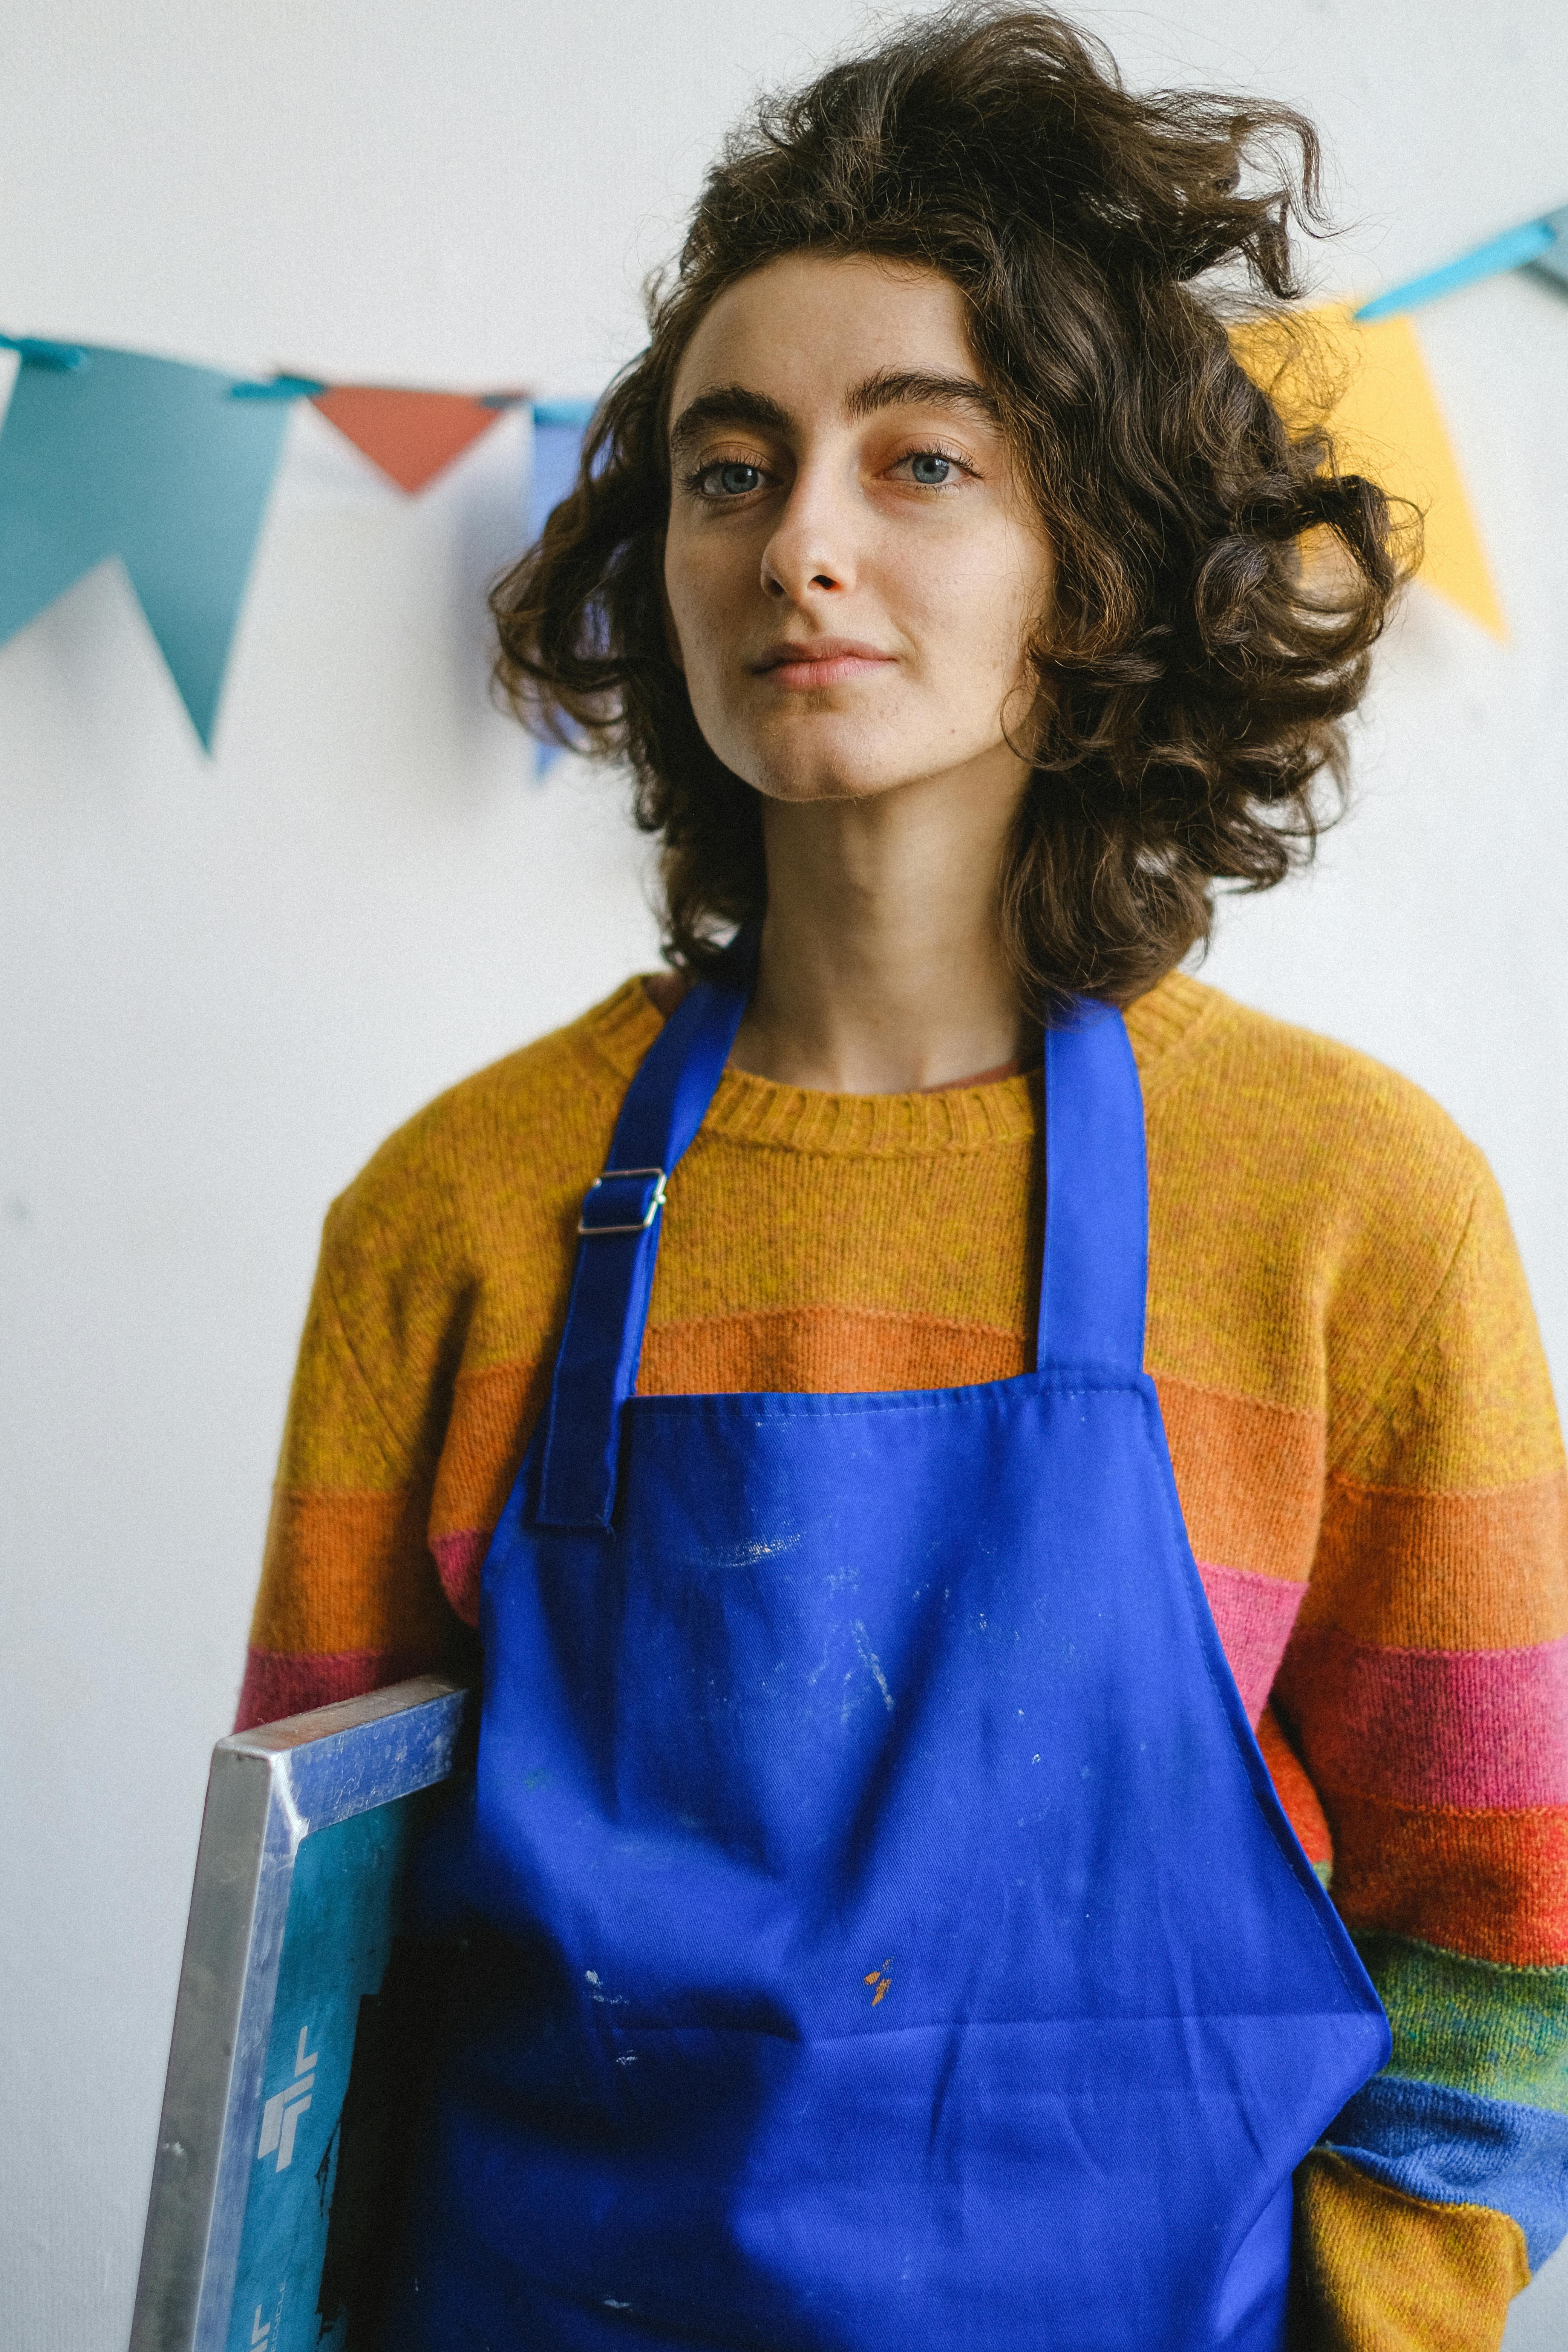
(1365, 1448)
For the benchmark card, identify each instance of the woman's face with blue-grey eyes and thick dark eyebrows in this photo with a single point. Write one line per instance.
(852, 563)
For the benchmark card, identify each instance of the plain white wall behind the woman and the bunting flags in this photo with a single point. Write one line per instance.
(227, 980)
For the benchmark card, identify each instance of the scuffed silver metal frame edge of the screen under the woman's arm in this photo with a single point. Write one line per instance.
(267, 1793)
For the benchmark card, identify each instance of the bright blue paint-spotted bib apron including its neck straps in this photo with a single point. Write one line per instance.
(892, 1935)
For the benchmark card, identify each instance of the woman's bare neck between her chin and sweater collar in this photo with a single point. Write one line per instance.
(883, 961)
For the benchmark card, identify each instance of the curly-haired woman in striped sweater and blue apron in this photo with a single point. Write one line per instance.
(885, 1925)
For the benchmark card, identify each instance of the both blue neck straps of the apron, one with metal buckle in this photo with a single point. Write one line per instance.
(1094, 1274)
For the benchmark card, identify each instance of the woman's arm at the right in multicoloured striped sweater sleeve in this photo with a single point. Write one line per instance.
(1428, 1692)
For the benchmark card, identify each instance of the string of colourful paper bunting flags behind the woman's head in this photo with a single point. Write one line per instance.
(170, 467)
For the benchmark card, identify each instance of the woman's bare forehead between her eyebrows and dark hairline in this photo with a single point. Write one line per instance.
(808, 328)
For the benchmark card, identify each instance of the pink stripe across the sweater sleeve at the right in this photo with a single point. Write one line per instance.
(1470, 1728)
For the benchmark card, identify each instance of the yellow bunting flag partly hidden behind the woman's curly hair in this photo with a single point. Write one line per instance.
(1386, 425)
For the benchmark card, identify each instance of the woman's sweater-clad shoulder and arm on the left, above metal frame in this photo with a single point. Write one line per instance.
(441, 1288)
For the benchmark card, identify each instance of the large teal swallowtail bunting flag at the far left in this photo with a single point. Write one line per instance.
(156, 465)
